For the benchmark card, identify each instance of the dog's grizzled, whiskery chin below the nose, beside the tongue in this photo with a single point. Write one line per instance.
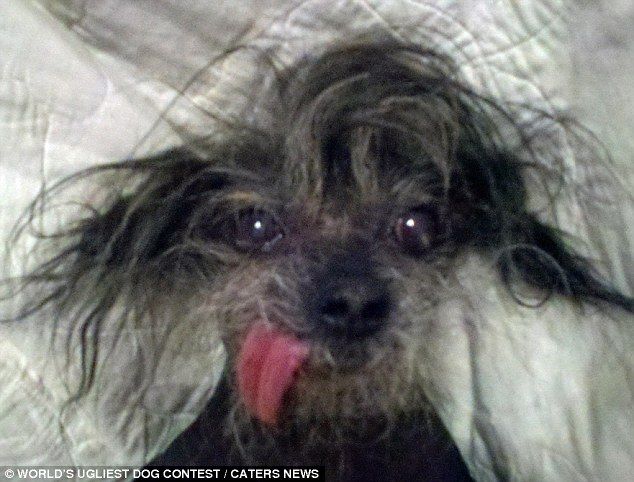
(350, 390)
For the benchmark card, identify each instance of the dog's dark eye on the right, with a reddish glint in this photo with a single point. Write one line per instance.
(417, 230)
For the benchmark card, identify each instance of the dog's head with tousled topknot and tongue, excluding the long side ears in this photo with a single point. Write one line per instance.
(331, 241)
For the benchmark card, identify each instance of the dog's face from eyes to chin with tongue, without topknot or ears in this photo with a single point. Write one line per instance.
(339, 285)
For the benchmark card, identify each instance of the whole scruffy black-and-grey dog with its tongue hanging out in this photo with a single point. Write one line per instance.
(321, 246)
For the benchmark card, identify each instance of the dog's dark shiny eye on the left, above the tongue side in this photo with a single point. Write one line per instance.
(256, 229)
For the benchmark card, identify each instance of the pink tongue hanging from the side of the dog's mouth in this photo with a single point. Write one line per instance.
(267, 364)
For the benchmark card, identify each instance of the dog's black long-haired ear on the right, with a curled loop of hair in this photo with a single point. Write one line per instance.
(489, 194)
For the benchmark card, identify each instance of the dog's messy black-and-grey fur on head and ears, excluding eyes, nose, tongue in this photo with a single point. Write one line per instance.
(358, 136)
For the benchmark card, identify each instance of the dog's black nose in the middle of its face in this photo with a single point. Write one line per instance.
(354, 308)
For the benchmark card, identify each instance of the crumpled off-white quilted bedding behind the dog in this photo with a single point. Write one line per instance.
(89, 81)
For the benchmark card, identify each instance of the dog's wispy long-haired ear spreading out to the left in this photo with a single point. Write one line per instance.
(117, 244)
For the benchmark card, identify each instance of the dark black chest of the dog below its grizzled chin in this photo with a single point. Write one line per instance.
(415, 448)
